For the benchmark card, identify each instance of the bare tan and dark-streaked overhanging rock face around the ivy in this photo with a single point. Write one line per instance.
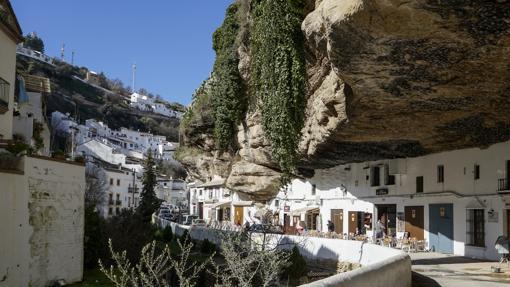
(387, 79)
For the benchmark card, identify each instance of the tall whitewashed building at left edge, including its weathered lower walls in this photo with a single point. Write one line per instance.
(40, 241)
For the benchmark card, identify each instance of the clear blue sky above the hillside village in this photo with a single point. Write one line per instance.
(169, 40)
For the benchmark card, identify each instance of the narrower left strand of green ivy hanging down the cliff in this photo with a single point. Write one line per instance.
(227, 89)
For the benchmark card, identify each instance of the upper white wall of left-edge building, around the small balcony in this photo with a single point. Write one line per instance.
(8, 73)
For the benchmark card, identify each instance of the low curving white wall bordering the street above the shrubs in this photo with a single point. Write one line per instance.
(381, 266)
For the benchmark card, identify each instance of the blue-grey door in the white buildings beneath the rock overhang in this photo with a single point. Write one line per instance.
(441, 227)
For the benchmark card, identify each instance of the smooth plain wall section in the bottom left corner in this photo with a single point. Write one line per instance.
(14, 230)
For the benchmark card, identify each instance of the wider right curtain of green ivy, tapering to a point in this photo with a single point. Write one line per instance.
(278, 75)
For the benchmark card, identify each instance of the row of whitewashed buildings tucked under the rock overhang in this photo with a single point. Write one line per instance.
(458, 201)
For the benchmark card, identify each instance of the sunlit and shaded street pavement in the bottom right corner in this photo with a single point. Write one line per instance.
(434, 269)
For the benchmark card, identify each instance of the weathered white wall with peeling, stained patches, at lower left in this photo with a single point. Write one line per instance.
(56, 214)
